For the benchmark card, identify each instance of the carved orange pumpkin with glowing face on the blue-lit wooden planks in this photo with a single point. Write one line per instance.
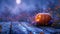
(42, 18)
